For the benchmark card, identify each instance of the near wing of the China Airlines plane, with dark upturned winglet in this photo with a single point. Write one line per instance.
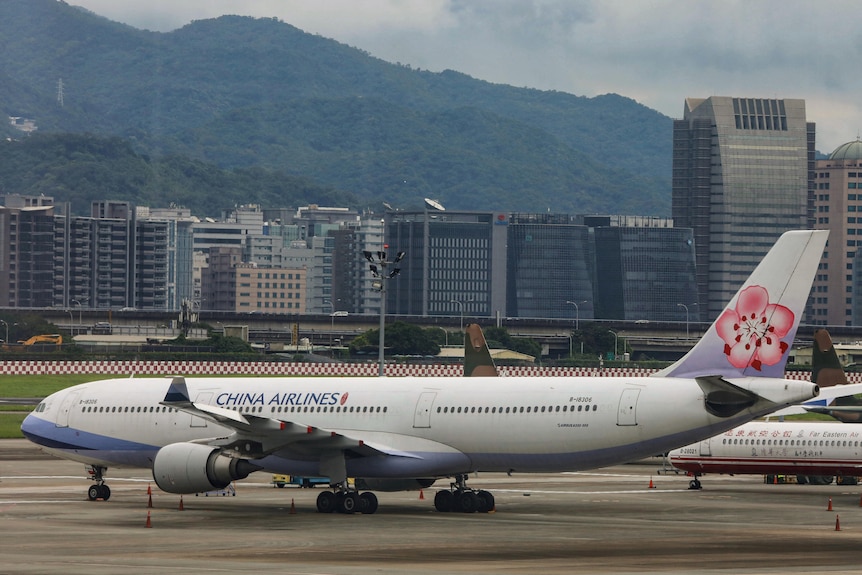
(254, 436)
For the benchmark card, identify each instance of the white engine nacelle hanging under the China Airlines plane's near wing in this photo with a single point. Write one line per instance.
(193, 468)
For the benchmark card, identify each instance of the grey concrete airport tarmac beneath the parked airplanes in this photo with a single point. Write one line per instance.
(602, 521)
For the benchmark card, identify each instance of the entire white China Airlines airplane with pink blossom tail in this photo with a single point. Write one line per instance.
(199, 434)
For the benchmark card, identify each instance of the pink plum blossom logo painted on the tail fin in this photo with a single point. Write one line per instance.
(752, 332)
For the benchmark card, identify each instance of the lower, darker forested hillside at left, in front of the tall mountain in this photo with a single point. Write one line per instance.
(81, 168)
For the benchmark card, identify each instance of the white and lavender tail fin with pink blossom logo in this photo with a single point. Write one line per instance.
(753, 335)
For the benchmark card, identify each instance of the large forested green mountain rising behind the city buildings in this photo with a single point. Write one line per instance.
(257, 101)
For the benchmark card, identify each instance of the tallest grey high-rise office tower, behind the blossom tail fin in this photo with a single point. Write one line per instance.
(743, 173)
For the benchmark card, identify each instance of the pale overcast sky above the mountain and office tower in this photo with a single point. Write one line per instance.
(657, 52)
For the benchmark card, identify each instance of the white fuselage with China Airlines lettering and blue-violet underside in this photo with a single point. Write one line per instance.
(426, 427)
